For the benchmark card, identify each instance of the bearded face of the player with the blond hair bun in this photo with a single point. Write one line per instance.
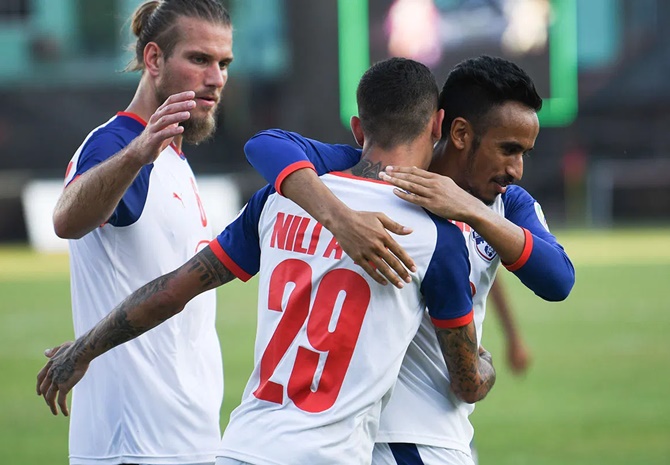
(199, 62)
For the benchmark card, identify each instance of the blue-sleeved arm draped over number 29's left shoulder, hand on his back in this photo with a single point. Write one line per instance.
(292, 164)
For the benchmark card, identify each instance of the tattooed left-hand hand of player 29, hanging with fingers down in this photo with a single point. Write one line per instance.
(59, 375)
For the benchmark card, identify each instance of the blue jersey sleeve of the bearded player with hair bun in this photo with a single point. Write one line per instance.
(101, 146)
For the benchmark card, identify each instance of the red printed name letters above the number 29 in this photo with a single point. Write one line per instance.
(302, 235)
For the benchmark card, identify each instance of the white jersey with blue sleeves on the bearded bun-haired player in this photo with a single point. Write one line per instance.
(155, 399)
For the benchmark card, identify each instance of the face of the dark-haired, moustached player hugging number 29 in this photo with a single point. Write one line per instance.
(498, 159)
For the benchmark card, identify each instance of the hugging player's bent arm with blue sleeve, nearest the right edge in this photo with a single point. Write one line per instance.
(524, 244)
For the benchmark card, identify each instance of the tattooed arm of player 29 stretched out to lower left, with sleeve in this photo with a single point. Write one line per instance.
(234, 253)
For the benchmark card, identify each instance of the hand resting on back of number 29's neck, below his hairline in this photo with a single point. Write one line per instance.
(436, 193)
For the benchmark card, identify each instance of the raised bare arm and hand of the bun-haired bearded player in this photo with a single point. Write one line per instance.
(92, 198)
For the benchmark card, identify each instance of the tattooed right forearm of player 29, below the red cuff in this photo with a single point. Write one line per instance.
(470, 367)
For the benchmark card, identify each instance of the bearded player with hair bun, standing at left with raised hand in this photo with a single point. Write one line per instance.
(132, 211)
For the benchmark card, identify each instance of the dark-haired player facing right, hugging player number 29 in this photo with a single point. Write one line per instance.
(490, 125)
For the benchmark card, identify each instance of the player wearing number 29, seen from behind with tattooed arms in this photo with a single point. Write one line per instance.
(330, 340)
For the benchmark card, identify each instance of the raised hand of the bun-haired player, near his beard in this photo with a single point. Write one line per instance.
(163, 126)
